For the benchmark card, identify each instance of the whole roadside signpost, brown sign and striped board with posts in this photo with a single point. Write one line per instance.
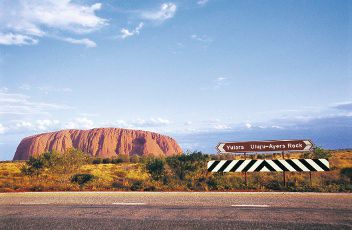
(272, 146)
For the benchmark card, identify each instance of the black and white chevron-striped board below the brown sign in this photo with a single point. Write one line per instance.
(287, 165)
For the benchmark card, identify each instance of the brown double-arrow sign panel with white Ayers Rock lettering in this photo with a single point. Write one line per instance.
(265, 146)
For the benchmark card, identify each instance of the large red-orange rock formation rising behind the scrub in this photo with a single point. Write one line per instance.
(100, 142)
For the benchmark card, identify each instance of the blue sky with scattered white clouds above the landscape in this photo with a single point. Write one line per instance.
(200, 71)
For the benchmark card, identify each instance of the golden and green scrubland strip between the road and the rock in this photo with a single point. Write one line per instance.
(75, 171)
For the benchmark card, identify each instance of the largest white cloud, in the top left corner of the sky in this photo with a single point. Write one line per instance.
(25, 21)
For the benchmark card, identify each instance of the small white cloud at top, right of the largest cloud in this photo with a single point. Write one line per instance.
(166, 11)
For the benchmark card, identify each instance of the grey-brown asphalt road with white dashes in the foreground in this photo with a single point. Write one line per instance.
(174, 210)
